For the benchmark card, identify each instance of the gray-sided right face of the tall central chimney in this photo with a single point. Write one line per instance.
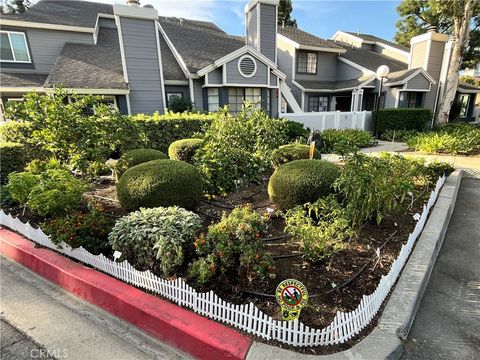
(268, 30)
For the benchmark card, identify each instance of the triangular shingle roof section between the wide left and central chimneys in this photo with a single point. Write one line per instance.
(199, 43)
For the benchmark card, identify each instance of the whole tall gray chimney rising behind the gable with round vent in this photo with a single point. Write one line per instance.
(261, 26)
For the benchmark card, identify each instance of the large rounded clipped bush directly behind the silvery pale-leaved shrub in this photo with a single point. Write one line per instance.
(160, 183)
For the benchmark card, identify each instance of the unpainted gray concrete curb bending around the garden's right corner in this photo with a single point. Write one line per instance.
(385, 341)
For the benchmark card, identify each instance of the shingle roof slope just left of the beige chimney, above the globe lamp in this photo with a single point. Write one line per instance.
(372, 60)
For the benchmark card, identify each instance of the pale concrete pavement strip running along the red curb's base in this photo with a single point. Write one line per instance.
(66, 326)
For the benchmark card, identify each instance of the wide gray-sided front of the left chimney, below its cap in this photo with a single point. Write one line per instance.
(141, 55)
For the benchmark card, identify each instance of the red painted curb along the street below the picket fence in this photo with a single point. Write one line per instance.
(192, 333)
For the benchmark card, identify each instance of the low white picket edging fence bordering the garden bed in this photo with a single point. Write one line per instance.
(245, 317)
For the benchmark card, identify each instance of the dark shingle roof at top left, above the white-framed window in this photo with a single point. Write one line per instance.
(64, 12)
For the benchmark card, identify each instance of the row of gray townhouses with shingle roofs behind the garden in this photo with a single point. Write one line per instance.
(138, 60)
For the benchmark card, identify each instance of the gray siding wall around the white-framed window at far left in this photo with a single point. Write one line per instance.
(45, 46)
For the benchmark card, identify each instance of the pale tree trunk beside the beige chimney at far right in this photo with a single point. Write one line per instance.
(462, 37)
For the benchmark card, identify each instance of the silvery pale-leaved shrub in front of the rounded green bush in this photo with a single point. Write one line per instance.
(157, 238)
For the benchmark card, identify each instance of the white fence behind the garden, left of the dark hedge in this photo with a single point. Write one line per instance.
(333, 120)
